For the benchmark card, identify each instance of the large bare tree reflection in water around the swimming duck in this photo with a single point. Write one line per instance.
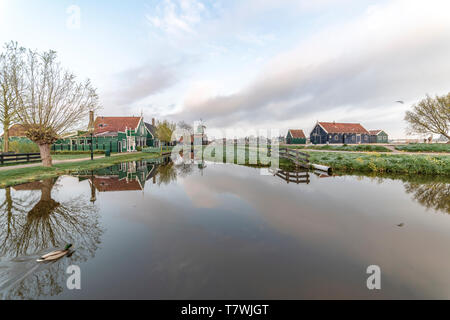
(32, 225)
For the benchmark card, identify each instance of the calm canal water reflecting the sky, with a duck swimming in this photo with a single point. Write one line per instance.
(221, 231)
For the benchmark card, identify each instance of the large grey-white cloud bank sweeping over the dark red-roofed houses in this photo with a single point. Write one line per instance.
(395, 51)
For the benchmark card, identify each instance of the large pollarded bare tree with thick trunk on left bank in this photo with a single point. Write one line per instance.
(53, 101)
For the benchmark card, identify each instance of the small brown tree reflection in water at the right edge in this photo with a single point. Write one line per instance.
(431, 195)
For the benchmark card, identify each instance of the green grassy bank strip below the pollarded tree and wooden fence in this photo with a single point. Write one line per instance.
(18, 176)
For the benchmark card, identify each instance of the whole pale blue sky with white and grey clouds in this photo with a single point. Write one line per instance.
(247, 63)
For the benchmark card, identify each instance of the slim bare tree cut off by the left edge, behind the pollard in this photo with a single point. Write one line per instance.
(10, 82)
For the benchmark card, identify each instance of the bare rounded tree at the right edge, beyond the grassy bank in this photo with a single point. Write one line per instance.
(430, 116)
